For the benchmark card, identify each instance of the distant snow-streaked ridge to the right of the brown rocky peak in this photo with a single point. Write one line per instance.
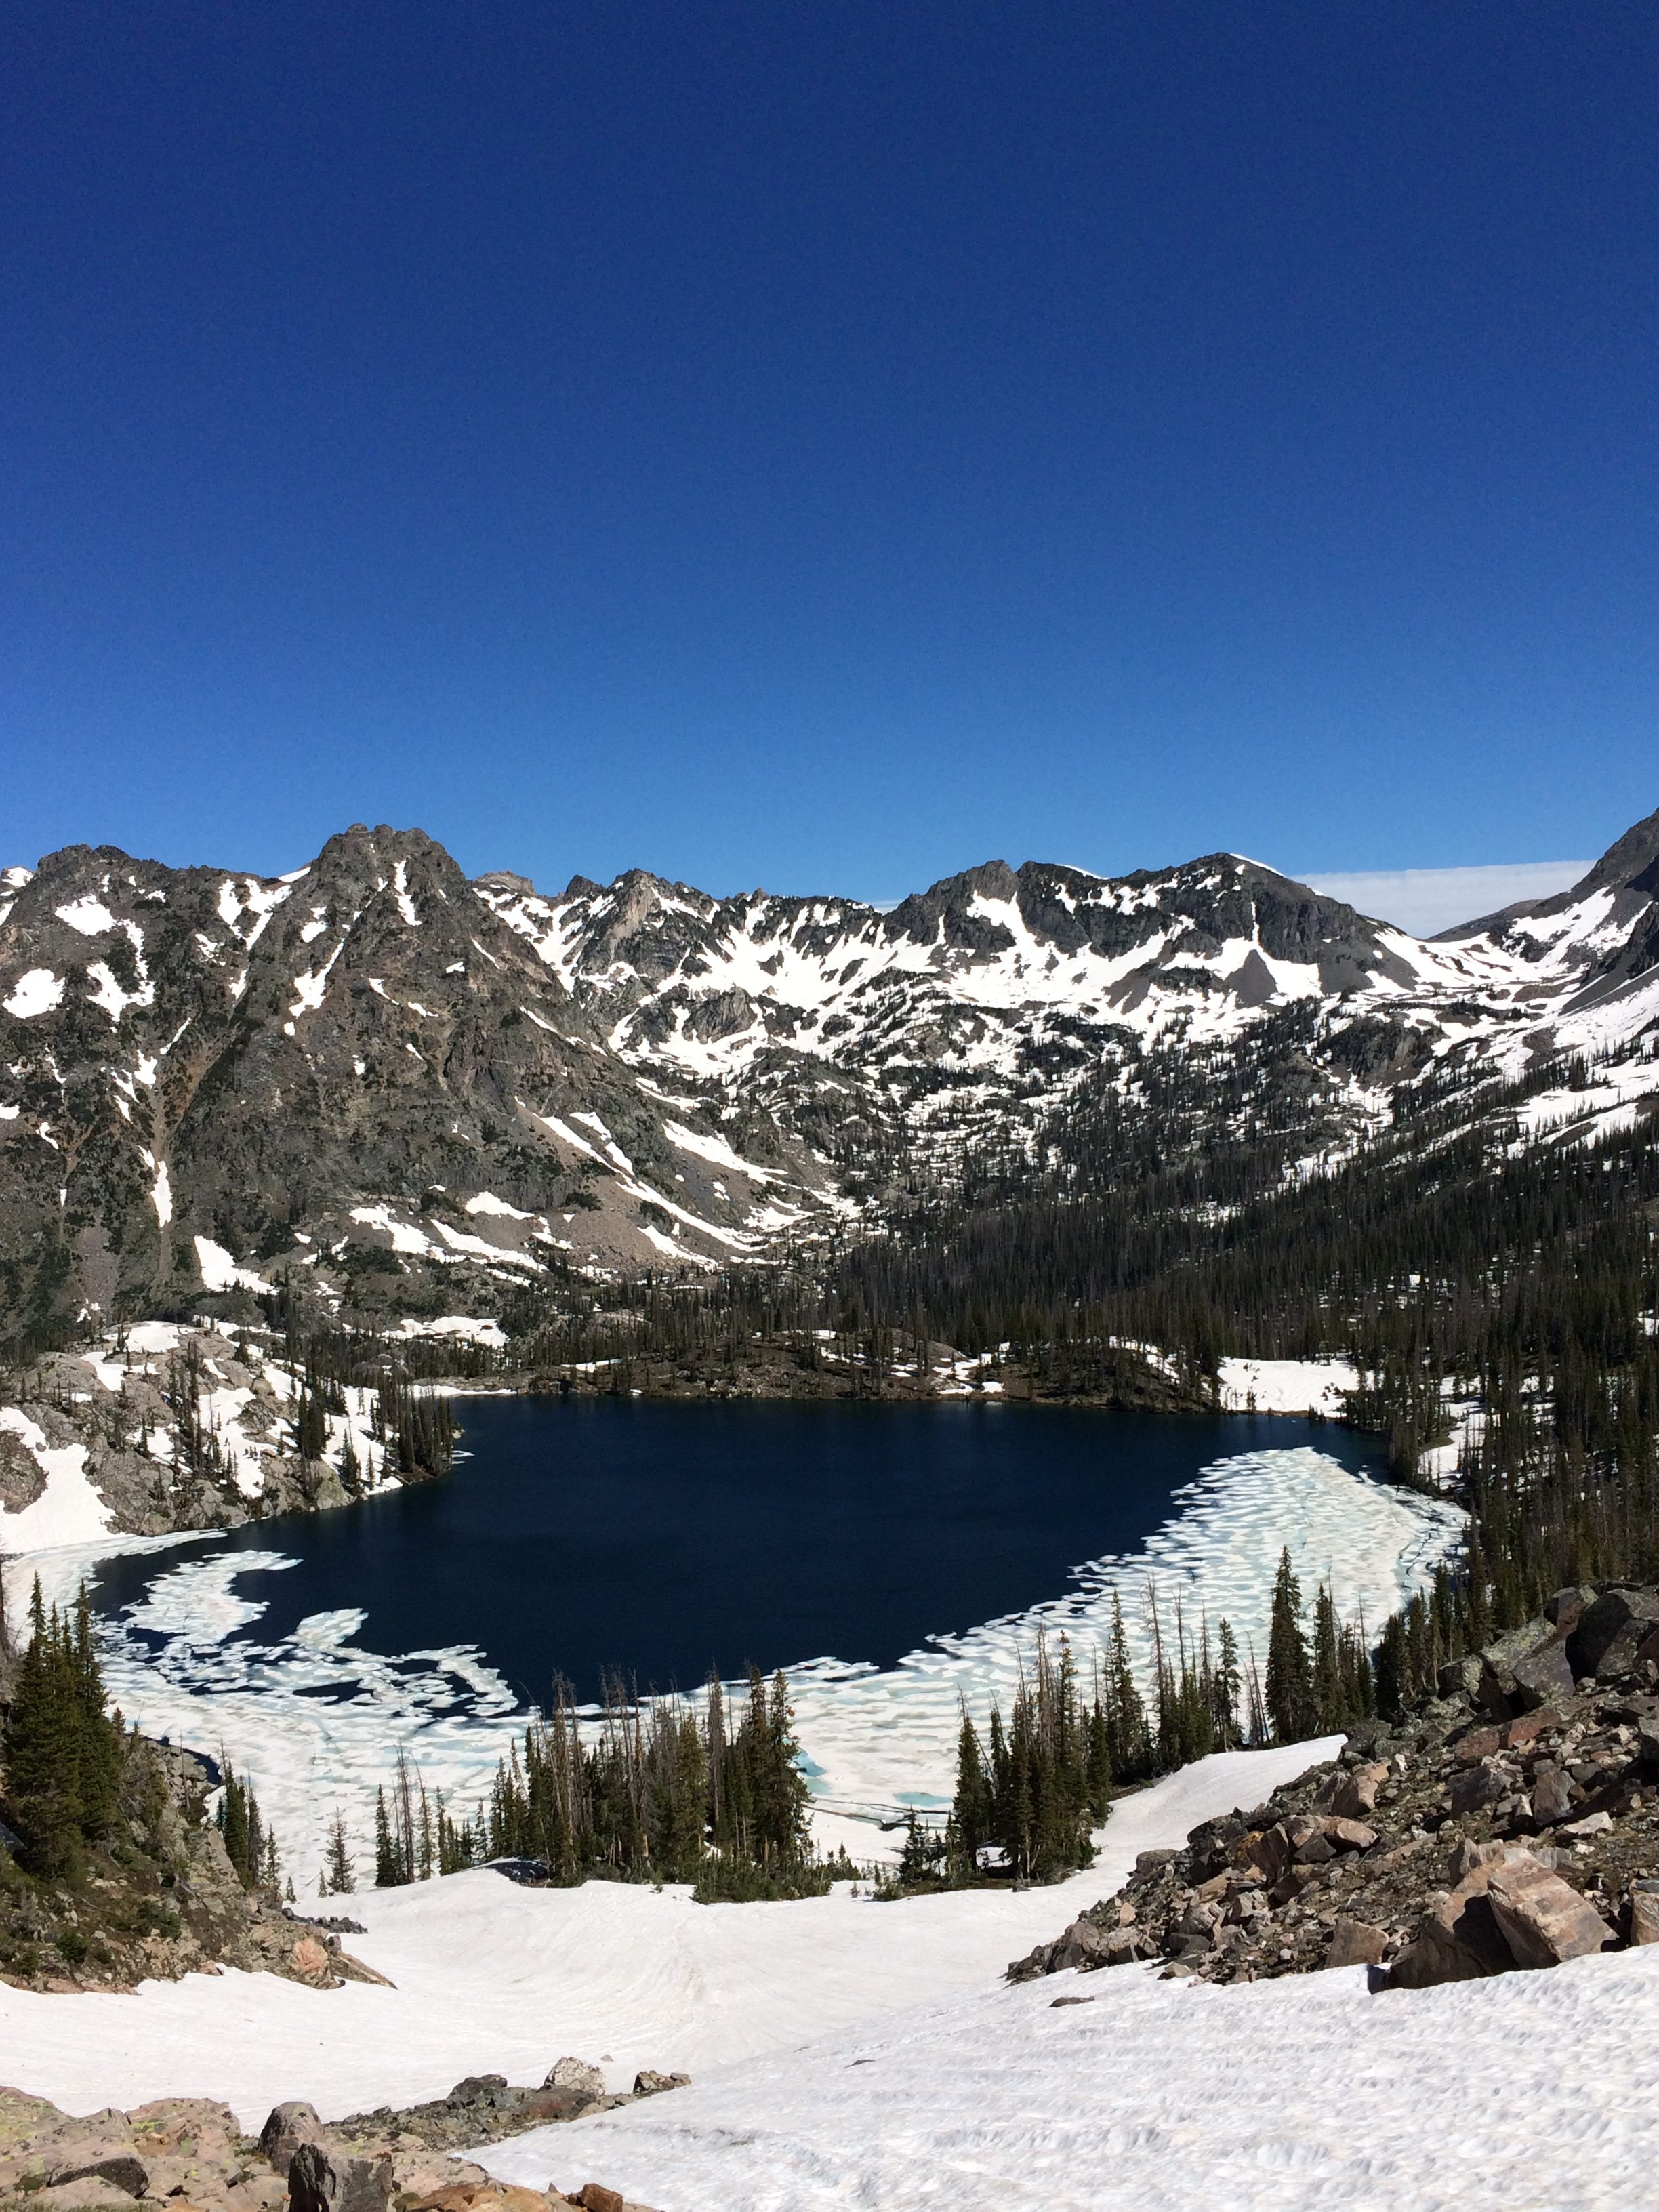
(992, 999)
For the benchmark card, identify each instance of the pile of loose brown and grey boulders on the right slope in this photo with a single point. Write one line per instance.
(1496, 1833)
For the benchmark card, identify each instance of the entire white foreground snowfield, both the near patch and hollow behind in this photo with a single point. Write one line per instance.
(853, 2054)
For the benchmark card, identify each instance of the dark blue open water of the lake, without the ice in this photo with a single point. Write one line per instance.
(660, 1538)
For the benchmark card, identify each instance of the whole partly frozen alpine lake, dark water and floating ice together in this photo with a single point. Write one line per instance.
(895, 1561)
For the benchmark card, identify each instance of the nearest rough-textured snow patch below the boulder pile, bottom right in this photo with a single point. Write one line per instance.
(1532, 2094)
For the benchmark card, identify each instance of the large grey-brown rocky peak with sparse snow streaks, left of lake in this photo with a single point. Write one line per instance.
(357, 1076)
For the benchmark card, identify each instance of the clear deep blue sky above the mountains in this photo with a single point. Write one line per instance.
(826, 446)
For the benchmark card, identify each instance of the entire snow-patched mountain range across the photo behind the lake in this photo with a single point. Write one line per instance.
(417, 1094)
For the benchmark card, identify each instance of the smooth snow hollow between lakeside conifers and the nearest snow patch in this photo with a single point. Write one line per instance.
(492, 1979)
